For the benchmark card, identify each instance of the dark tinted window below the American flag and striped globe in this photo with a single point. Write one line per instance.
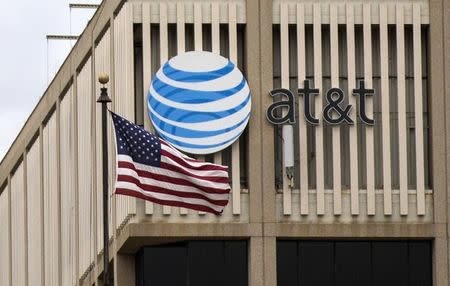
(193, 263)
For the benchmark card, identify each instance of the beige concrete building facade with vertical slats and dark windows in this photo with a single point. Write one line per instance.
(367, 203)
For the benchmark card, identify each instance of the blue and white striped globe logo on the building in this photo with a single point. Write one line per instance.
(199, 102)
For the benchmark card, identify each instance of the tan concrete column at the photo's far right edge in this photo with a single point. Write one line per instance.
(439, 129)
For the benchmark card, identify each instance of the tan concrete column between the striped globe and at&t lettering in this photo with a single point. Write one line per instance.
(262, 250)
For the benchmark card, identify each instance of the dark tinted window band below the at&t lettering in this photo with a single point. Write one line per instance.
(356, 263)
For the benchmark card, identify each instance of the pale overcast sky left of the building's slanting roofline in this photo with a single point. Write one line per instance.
(24, 68)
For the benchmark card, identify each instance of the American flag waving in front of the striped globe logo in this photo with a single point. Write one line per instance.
(151, 169)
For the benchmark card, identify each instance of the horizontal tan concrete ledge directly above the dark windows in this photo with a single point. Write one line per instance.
(135, 235)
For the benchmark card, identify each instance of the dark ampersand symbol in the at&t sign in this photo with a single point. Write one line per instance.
(333, 104)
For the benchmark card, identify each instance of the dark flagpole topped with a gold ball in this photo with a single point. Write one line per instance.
(104, 99)
